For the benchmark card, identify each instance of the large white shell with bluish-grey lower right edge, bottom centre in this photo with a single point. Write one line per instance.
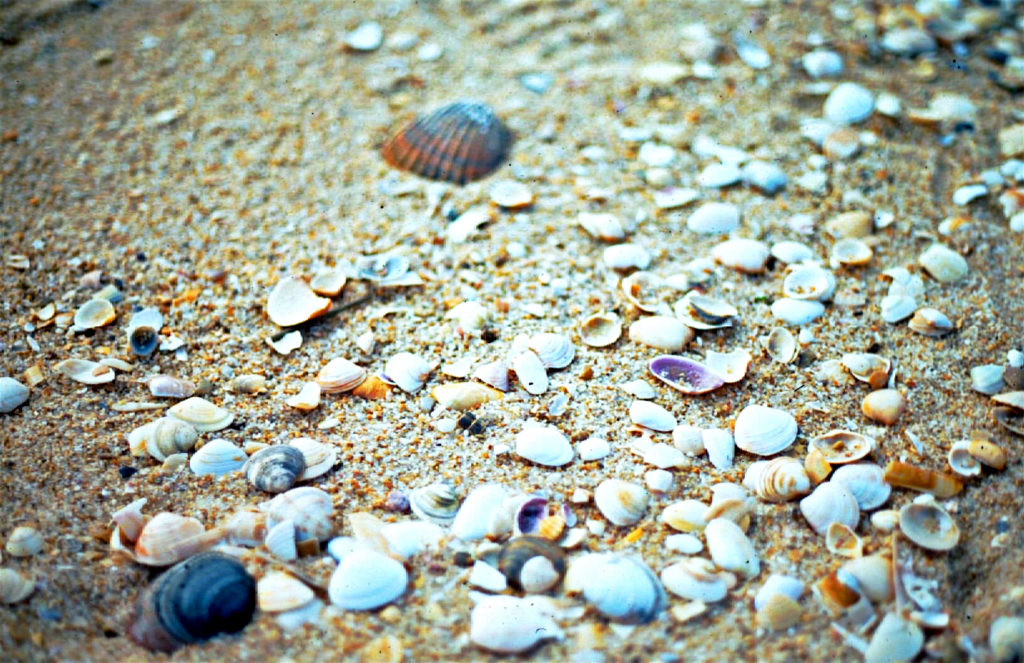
(624, 590)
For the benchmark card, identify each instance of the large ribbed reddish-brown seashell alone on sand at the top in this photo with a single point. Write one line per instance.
(459, 143)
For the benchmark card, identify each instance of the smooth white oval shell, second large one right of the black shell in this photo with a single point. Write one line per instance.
(366, 579)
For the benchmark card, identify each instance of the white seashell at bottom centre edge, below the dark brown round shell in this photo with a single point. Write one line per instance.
(510, 626)
